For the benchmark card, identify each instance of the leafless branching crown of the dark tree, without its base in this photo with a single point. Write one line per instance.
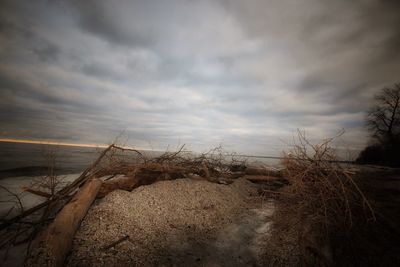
(383, 118)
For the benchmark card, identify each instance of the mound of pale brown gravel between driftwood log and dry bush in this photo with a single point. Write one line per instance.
(183, 222)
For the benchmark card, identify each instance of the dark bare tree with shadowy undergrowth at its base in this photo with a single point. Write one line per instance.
(383, 120)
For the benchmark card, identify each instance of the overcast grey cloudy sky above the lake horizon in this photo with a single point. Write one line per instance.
(244, 74)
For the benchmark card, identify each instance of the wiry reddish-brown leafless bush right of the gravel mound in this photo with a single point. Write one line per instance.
(321, 186)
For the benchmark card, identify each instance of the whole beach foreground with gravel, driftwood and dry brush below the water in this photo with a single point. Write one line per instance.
(177, 209)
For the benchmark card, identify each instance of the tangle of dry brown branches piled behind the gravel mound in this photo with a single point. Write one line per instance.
(213, 165)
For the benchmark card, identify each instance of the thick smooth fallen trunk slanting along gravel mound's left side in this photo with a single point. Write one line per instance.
(53, 244)
